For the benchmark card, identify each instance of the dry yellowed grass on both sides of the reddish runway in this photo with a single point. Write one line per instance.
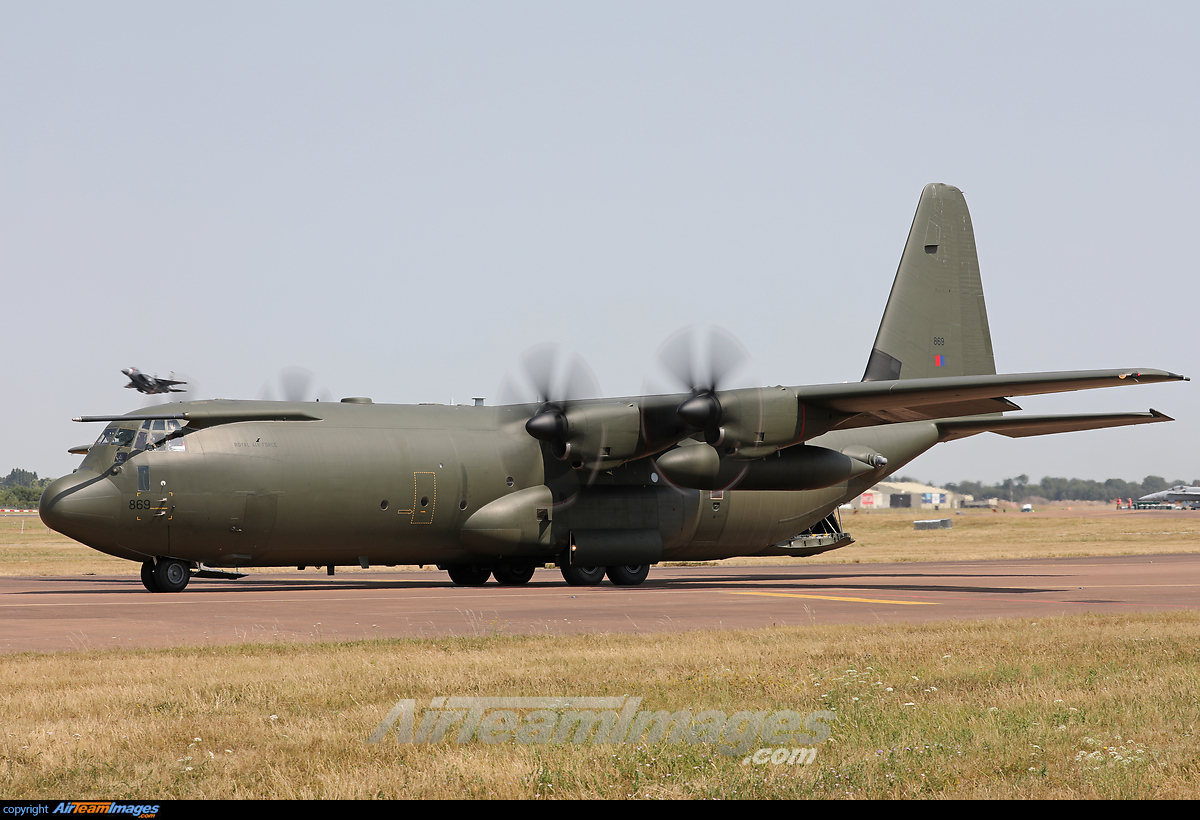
(1087, 708)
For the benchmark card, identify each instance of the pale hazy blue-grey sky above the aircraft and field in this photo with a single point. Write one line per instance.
(405, 197)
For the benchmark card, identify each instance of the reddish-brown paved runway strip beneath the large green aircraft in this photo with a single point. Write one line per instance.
(74, 614)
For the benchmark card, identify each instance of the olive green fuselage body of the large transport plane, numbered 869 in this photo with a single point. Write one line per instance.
(394, 484)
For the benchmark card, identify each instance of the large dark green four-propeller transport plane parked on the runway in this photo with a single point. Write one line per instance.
(599, 487)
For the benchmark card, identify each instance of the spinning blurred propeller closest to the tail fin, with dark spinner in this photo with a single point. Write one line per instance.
(703, 374)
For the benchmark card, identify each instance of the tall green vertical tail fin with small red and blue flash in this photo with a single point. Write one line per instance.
(935, 324)
